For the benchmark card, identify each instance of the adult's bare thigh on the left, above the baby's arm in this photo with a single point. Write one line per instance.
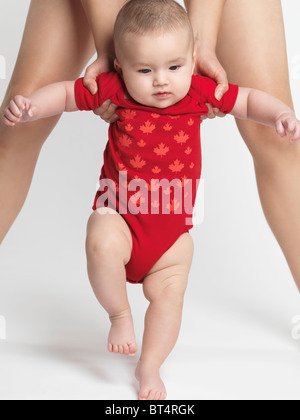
(56, 45)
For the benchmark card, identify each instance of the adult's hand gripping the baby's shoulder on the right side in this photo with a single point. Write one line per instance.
(207, 64)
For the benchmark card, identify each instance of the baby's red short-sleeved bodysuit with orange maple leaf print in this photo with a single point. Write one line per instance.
(162, 145)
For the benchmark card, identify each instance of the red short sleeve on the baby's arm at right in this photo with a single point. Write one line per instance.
(205, 90)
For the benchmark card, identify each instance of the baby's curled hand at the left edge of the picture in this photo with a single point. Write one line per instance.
(19, 110)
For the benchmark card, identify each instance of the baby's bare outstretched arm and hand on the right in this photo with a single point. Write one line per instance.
(265, 109)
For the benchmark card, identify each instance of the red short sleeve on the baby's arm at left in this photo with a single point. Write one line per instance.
(108, 85)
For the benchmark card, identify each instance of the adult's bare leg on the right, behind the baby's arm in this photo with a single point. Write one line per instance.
(252, 49)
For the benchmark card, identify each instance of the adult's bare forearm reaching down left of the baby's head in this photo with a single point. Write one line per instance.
(102, 16)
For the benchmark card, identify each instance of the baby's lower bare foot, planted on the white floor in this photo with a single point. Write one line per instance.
(151, 385)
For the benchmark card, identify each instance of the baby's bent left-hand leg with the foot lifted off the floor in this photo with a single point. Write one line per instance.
(108, 248)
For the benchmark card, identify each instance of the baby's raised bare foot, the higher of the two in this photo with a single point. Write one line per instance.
(121, 338)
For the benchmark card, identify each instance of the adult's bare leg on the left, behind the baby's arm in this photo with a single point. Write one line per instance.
(56, 45)
